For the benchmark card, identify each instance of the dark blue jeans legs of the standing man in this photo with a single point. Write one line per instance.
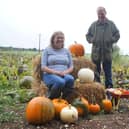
(107, 67)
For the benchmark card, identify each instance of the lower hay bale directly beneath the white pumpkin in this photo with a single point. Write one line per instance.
(88, 90)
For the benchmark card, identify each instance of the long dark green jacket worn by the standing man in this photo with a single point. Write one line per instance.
(102, 36)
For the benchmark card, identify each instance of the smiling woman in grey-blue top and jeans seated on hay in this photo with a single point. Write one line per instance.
(57, 65)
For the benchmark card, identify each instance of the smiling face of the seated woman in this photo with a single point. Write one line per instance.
(58, 41)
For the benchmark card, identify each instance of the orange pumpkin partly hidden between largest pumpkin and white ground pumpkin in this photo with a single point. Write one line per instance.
(59, 104)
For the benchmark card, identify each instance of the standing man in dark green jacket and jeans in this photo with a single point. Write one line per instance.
(103, 33)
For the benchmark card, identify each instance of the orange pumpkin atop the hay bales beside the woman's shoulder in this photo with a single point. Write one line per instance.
(77, 49)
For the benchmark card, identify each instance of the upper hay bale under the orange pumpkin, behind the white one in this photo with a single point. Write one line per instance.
(81, 62)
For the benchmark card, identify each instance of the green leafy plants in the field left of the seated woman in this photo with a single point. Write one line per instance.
(12, 97)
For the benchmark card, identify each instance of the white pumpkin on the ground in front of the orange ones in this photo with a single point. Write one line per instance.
(69, 114)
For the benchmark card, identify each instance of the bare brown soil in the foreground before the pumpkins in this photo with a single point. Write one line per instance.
(115, 120)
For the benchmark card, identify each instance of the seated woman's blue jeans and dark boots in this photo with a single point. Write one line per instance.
(58, 84)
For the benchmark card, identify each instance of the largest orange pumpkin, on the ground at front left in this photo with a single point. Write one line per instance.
(40, 110)
